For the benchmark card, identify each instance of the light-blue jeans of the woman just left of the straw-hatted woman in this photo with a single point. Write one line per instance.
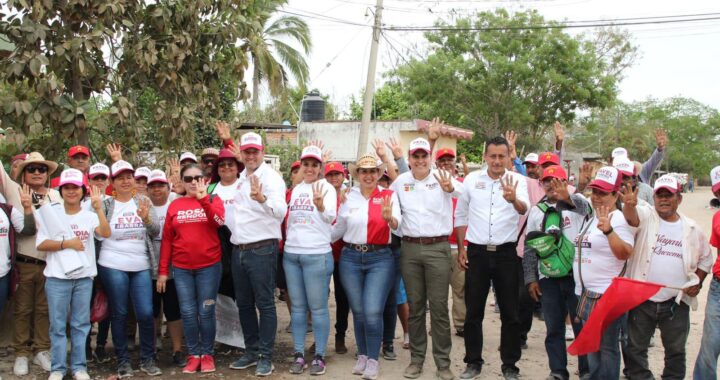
(308, 280)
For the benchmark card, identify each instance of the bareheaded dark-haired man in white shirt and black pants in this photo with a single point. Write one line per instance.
(490, 207)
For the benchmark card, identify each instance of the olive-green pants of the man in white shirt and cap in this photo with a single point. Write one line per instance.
(426, 272)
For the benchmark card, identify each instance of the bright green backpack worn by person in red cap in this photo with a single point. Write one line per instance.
(555, 251)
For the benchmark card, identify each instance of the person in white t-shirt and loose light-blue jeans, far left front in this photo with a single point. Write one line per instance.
(69, 290)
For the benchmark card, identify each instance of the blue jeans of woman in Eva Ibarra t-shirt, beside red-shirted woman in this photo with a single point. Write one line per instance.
(119, 285)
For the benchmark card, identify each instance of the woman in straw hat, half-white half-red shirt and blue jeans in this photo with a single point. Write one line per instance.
(367, 266)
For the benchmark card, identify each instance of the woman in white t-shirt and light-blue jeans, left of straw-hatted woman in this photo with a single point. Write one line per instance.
(307, 258)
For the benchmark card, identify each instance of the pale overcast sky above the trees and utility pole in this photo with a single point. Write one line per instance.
(681, 59)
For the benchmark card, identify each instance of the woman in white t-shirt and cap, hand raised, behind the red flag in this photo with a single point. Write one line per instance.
(603, 248)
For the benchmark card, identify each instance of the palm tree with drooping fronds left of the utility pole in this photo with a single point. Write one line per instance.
(273, 58)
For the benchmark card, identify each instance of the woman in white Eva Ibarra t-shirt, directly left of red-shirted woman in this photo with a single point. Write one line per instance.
(125, 266)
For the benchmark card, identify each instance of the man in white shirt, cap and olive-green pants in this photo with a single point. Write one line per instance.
(426, 202)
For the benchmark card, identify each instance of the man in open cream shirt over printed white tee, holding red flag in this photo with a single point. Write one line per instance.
(672, 250)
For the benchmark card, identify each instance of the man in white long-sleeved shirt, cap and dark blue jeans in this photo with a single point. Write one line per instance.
(258, 211)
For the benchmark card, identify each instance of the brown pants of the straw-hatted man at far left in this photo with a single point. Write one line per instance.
(31, 311)
